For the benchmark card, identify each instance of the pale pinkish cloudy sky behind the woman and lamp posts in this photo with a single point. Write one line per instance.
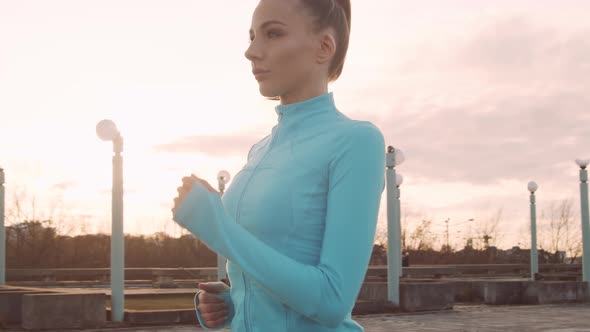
(481, 96)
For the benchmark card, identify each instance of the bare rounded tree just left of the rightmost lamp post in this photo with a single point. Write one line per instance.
(559, 232)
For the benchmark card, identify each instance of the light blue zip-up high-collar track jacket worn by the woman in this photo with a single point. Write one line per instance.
(297, 222)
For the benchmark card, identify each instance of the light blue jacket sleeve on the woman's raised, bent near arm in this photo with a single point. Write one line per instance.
(325, 292)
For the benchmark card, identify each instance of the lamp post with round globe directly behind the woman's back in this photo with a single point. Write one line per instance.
(394, 158)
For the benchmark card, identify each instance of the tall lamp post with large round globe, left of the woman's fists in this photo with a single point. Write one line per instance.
(107, 131)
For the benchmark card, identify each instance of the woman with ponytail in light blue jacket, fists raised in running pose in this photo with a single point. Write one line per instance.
(298, 221)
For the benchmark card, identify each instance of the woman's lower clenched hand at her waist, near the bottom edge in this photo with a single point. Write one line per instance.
(213, 309)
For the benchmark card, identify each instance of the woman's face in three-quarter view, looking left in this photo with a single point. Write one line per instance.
(283, 47)
